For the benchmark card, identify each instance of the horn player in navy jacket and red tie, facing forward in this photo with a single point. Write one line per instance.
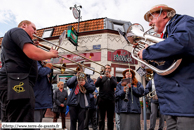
(78, 100)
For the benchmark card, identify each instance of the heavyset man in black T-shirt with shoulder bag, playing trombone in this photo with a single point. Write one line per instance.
(18, 56)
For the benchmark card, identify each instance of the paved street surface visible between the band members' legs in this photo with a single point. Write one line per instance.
(49, 119)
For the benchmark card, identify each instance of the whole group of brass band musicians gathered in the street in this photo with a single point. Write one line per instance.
(32, 92)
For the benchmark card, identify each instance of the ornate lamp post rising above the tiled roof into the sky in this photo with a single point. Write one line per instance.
(76, 13)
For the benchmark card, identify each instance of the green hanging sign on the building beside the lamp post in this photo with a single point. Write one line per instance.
(72, 35)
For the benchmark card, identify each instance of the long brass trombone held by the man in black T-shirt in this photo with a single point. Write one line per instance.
(57, 46)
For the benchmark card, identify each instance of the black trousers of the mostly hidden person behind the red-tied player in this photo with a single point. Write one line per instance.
(91, 114)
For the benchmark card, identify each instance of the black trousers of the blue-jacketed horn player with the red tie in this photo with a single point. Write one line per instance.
(77, 113)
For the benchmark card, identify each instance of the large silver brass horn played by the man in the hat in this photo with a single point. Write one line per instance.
(135, 34)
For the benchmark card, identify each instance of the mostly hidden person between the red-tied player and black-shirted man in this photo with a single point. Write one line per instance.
(91, 111)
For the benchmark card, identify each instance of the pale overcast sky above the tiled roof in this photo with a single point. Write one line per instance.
(46, 13)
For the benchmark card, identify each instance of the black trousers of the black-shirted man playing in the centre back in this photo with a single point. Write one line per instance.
(106, 106)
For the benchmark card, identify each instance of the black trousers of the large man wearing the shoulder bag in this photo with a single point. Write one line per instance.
(21, 110)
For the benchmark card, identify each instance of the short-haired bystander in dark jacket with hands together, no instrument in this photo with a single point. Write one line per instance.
(60, 103)
